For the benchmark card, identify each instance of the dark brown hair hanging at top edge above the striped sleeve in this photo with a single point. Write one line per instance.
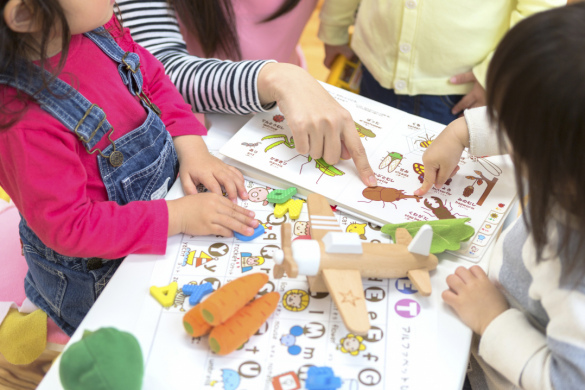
(214, 24)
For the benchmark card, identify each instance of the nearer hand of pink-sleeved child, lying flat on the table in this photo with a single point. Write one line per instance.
(209, 213)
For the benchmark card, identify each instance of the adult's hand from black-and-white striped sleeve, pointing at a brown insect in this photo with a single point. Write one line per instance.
(321, 127)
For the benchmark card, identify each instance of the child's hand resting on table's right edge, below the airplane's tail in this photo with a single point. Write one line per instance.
(474, 298)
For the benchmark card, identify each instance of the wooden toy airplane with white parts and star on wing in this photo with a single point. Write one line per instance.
(336, 262)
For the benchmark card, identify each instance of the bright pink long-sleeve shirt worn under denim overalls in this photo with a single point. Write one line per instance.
(56, 184)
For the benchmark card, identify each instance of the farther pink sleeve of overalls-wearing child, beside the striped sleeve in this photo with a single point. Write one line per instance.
(176, 114)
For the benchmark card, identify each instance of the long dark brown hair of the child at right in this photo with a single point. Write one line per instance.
(536, 98)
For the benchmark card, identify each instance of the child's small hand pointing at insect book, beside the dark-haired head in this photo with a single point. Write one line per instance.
(441, 157)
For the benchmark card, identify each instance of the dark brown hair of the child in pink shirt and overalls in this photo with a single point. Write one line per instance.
(17, 48)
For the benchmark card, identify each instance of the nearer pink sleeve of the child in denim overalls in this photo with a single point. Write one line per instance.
(43, 174)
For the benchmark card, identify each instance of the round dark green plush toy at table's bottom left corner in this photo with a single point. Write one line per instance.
(107, 359)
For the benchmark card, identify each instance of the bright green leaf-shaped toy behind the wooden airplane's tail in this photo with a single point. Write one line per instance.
(447, 233)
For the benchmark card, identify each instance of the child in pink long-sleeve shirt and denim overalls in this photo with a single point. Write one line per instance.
(92, 132)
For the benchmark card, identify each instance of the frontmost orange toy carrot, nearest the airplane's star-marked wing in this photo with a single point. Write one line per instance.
(227, 337)
